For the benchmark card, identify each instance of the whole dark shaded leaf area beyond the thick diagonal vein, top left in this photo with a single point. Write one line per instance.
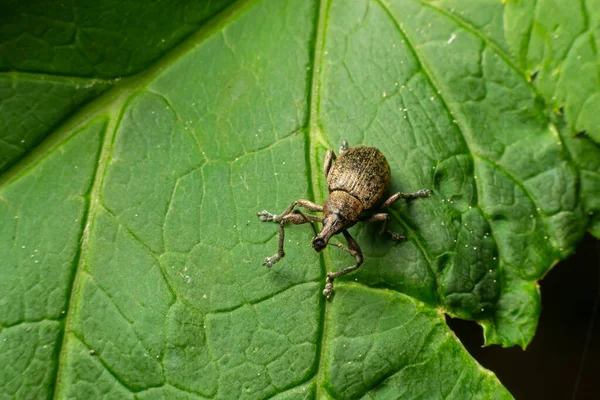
(90, 42)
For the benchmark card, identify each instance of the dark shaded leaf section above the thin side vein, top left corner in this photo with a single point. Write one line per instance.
(106, 39)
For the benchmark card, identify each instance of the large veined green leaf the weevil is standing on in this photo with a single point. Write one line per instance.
(131, 252)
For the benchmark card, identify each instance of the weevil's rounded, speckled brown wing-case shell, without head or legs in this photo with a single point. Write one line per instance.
(362, 172)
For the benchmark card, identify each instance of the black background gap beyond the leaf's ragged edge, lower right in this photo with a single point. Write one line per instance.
(563, 360)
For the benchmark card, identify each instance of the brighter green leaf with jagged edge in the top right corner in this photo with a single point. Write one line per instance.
(553, 42)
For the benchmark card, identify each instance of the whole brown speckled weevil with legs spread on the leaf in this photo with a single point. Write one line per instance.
(357, 181)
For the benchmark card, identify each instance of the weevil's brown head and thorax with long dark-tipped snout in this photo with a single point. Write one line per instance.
(341, 211)
